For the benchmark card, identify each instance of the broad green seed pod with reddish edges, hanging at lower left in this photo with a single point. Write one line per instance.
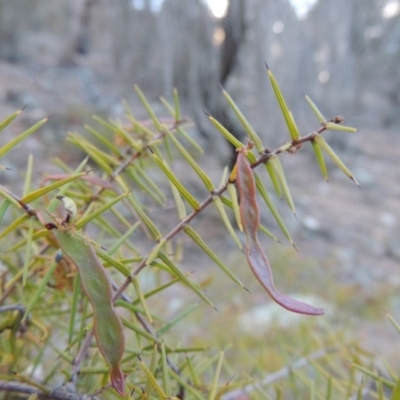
(107, 325)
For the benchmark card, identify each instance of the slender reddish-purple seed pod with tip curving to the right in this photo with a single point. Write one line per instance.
(255, 255)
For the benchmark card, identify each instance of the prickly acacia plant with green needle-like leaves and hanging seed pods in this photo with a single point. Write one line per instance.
(76, 232)
